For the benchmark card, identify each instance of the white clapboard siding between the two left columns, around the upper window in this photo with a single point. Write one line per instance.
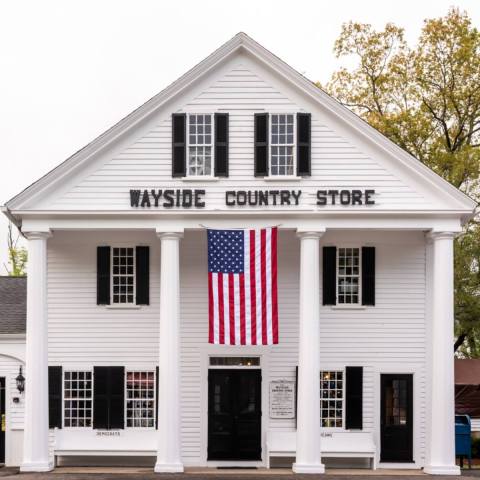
(81, 331)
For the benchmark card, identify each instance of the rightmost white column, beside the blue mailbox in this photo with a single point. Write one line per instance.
(440, 448)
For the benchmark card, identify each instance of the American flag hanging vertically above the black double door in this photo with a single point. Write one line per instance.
(242, 286)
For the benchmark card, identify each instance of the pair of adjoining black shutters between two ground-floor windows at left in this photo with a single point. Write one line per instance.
(108, 398)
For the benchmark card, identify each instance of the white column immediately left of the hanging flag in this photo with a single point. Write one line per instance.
(168, 455)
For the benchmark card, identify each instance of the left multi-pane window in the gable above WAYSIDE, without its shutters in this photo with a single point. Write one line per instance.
(200, 141)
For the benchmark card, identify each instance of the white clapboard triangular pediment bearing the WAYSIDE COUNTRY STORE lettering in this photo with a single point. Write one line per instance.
(240, 78)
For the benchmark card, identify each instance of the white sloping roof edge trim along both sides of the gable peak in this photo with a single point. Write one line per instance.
(81, 158)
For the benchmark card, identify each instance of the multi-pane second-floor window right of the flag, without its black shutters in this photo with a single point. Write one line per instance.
(348, 275)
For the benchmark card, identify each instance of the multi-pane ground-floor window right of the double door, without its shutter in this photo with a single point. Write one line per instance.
(331, 398)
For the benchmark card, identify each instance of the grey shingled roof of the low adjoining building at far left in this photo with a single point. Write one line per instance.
(13, 305)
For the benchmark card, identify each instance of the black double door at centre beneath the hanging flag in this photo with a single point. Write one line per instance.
(234, 414)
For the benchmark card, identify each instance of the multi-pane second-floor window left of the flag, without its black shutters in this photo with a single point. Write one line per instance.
(123, 275)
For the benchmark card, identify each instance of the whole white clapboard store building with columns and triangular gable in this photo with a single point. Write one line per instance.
(118, 359)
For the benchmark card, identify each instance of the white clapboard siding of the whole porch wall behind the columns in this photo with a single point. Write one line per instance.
(391, 334)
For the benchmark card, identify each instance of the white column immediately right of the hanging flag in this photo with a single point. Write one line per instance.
(308, 459)
